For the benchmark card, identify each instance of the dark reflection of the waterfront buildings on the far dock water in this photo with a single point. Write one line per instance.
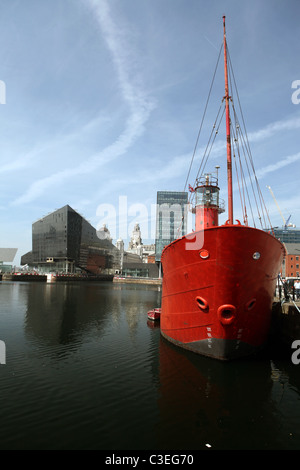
(61, 313)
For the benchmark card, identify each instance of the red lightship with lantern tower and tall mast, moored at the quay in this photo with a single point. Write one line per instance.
(219, 282)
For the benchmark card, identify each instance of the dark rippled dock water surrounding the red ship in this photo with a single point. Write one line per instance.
(85, 370)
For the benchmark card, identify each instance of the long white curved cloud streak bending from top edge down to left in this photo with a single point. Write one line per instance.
(140, 106)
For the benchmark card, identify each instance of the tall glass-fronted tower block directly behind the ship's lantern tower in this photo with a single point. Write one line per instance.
(171, 219)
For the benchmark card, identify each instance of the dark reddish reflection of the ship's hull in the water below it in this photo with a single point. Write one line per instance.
(206, 403)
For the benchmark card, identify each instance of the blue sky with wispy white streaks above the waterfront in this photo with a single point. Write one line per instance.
(105, 98)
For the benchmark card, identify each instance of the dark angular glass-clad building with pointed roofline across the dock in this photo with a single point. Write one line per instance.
(63, 241)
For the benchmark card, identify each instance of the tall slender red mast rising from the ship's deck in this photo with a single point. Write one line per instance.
(229, 164)
